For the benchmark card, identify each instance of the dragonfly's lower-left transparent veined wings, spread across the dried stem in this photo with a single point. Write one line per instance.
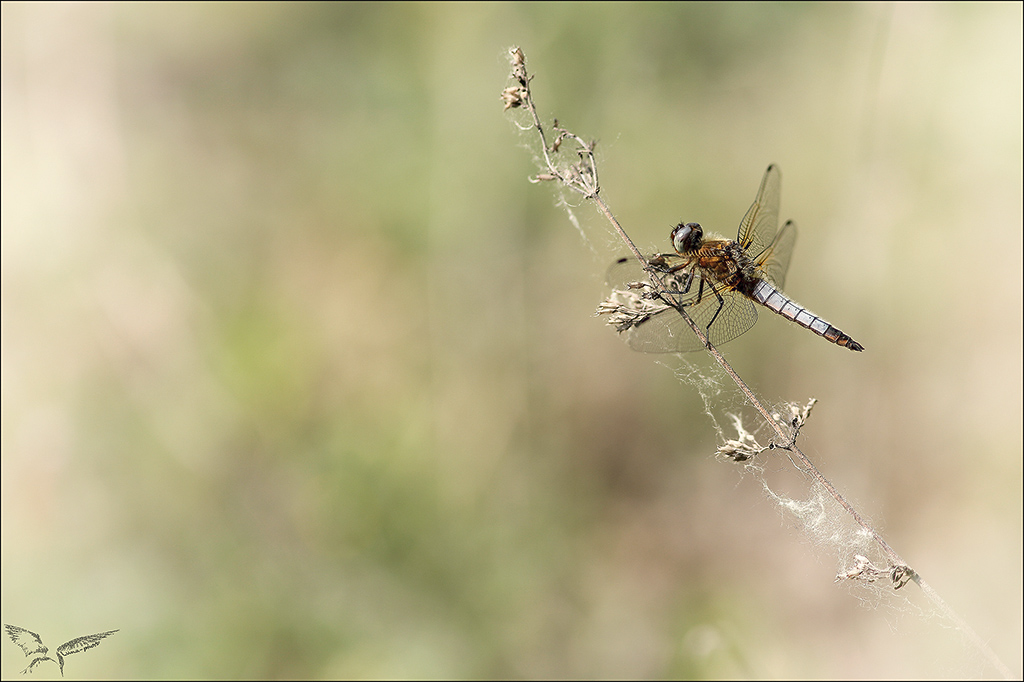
(651, 322)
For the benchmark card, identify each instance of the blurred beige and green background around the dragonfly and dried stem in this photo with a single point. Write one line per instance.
(302, 379)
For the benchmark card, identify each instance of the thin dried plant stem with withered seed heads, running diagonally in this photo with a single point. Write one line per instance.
(582, 179)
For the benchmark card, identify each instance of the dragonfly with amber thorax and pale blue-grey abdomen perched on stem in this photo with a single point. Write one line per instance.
(716, 281)
